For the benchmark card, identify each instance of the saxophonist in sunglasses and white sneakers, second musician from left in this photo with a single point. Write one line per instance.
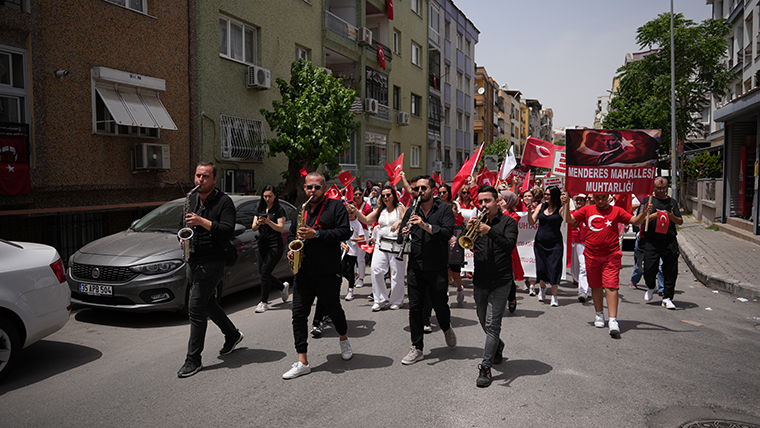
(324, 226)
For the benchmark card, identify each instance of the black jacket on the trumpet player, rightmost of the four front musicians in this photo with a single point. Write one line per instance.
(493, 253)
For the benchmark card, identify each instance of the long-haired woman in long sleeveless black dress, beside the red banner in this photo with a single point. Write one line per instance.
(549, 244)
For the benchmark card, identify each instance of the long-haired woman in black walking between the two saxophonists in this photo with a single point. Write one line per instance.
(270, 221)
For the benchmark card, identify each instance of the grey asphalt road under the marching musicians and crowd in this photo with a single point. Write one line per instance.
(667, 368)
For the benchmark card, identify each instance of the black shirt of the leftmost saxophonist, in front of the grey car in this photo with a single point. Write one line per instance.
(207, 244)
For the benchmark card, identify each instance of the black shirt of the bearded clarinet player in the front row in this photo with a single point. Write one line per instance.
(431, 252)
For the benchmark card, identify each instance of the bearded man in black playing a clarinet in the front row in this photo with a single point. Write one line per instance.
(431, 227)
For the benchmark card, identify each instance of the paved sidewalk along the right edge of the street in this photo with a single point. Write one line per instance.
(719, 260)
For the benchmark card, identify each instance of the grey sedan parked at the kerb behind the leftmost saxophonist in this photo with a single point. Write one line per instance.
(141, 268)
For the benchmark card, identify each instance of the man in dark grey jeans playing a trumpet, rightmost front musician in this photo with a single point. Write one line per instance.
(494, 239)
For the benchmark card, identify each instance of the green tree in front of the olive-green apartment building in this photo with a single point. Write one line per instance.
(312, 122)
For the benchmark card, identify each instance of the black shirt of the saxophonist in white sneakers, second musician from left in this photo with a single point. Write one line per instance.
(321, 256)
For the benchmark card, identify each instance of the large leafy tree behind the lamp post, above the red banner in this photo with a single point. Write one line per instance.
(642, 100)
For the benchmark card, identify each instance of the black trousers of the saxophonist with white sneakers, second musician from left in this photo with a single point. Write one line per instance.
(326, 288)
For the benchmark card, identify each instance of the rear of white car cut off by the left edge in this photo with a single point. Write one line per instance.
(35, 300)
